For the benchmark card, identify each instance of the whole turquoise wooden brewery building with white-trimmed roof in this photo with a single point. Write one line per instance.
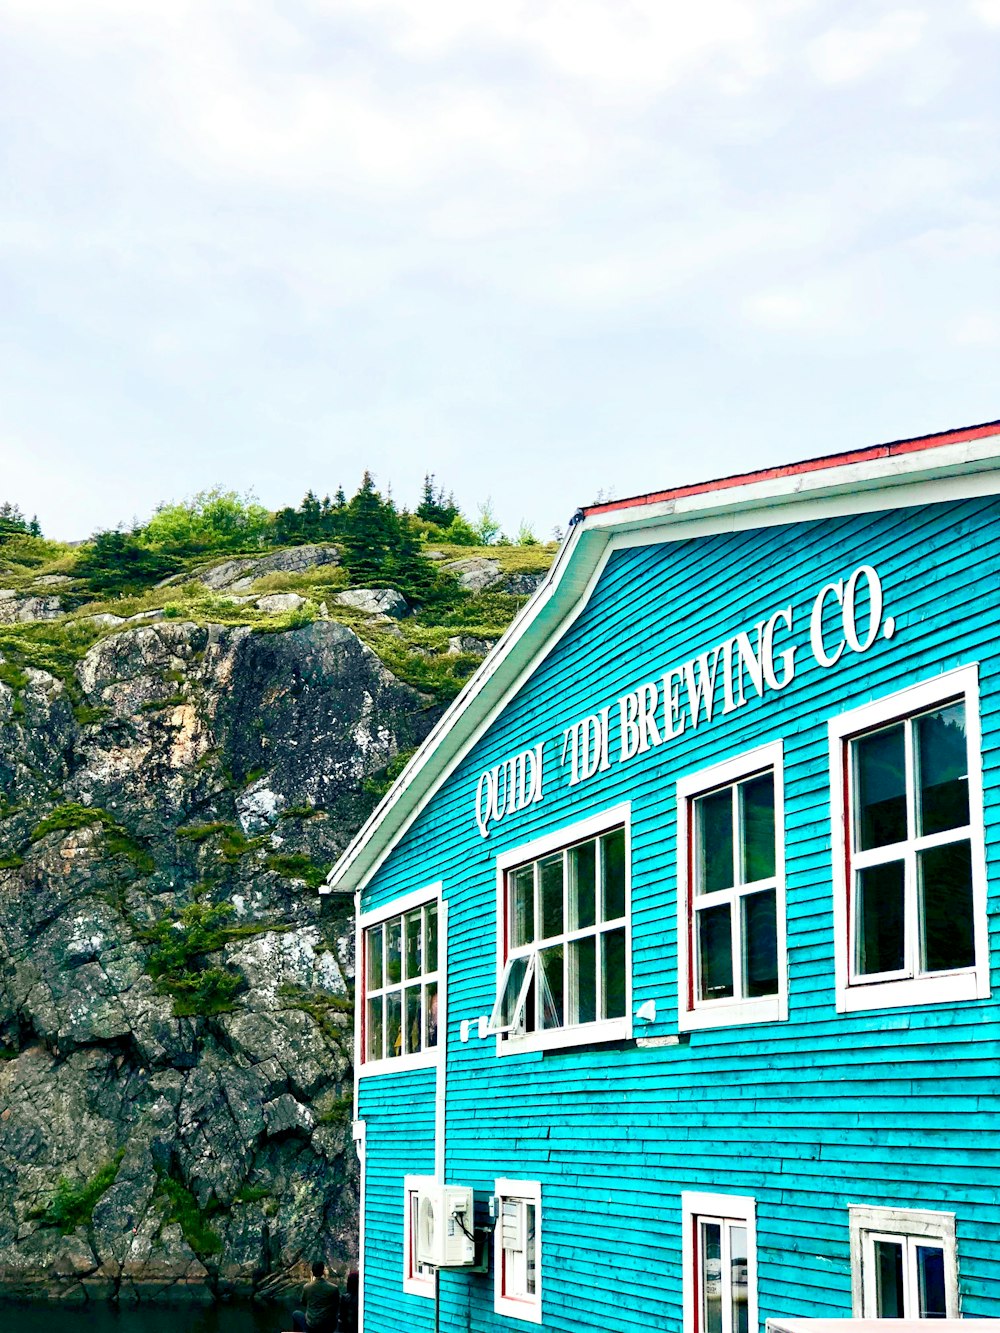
(678, 940)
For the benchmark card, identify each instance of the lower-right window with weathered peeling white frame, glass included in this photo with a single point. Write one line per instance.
(905, 1264)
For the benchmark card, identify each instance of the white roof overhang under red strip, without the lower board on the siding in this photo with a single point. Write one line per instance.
(569, 578)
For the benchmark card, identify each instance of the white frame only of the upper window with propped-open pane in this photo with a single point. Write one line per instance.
(585, 1034)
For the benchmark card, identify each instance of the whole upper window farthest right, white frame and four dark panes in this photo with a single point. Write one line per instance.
(909, 859)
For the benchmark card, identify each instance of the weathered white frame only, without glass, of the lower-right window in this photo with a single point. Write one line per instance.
(910, 1224)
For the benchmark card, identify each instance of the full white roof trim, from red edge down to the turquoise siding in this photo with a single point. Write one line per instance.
(927, 477)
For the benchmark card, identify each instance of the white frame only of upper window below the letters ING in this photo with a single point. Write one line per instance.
(694, 1014)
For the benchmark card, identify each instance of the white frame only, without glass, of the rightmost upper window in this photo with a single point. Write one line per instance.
(855, 995)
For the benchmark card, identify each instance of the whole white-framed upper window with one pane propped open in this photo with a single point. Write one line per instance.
(565, 938)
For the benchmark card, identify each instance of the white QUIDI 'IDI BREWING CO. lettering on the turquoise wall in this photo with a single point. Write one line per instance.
(717, 683)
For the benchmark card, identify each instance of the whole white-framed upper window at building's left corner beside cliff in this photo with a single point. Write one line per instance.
(402, 951)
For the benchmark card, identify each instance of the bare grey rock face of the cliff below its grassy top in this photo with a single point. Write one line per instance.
(175, 996)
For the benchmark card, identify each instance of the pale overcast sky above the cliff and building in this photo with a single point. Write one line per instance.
(542, 249)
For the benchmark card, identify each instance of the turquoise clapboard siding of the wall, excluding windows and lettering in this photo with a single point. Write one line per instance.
(890, 1108)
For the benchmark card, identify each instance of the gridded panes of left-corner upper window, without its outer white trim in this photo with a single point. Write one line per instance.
(401, 982)
